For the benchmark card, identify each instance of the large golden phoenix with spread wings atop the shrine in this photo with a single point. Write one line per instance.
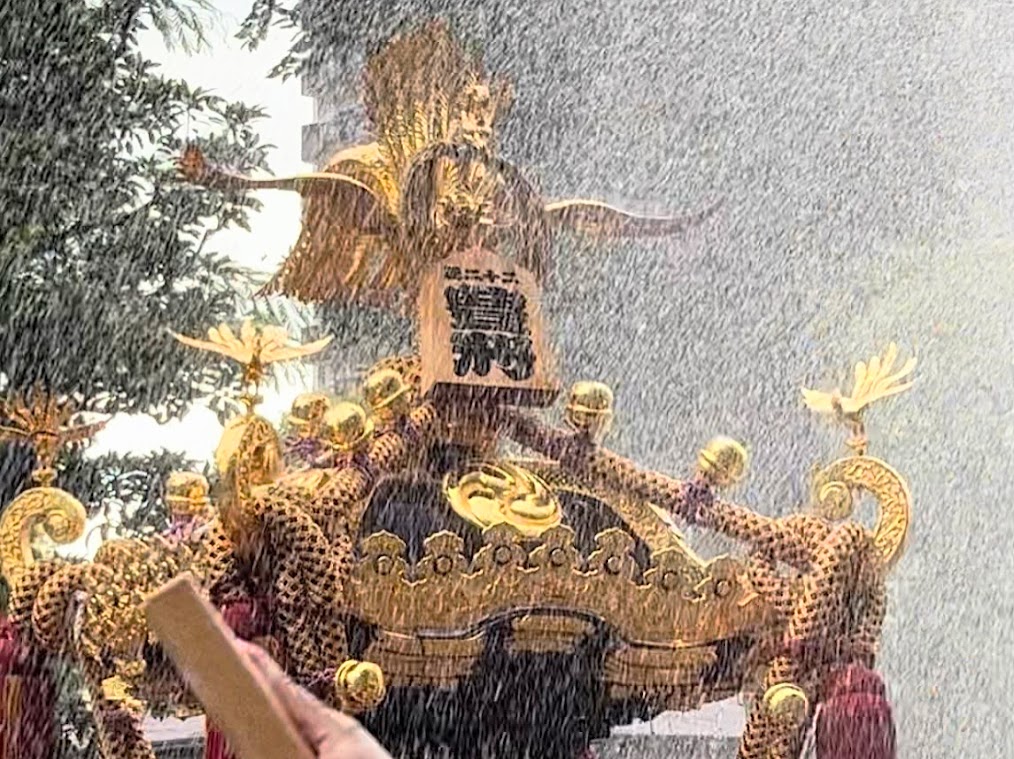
(430, 185)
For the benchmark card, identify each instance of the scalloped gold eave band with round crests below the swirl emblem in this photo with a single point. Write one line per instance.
(680, 601)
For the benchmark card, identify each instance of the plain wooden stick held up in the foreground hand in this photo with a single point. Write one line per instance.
(235, 696)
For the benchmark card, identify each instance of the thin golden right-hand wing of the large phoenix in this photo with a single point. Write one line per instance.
(603, 220)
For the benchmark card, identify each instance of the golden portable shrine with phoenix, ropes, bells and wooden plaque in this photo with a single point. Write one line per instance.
(400, 563)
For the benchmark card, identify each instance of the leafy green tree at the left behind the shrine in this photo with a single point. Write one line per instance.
(102, 249)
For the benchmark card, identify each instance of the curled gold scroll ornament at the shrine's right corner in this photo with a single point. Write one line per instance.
(835, 488)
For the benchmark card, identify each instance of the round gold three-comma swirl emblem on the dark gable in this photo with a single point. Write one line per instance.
(504, 494)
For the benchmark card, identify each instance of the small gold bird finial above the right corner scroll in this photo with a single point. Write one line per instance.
(873, 382)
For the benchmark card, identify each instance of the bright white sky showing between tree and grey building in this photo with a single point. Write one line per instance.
(236, 74)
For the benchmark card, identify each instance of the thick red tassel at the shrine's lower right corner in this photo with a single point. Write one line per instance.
(855, 720)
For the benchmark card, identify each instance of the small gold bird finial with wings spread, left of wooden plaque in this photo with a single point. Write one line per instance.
(255, 349)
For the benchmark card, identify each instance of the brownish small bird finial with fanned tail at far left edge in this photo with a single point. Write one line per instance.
(44, 422)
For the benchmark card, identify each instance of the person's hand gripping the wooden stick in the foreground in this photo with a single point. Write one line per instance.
(330, 734)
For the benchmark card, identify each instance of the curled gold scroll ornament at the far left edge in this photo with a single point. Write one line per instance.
(61, 515)
